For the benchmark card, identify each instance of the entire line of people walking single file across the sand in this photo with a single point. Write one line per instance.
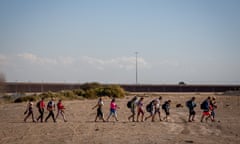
(136, 106)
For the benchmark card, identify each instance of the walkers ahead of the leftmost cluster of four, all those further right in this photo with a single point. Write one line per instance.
(136, 107)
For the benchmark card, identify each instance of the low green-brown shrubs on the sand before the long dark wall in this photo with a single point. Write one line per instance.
(88, 90)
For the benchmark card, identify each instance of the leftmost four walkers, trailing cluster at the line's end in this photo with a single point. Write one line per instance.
(41, 108)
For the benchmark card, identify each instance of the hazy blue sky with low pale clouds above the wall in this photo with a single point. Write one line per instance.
(78, 41)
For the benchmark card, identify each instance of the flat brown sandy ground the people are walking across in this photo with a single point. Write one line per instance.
(81, 127)
